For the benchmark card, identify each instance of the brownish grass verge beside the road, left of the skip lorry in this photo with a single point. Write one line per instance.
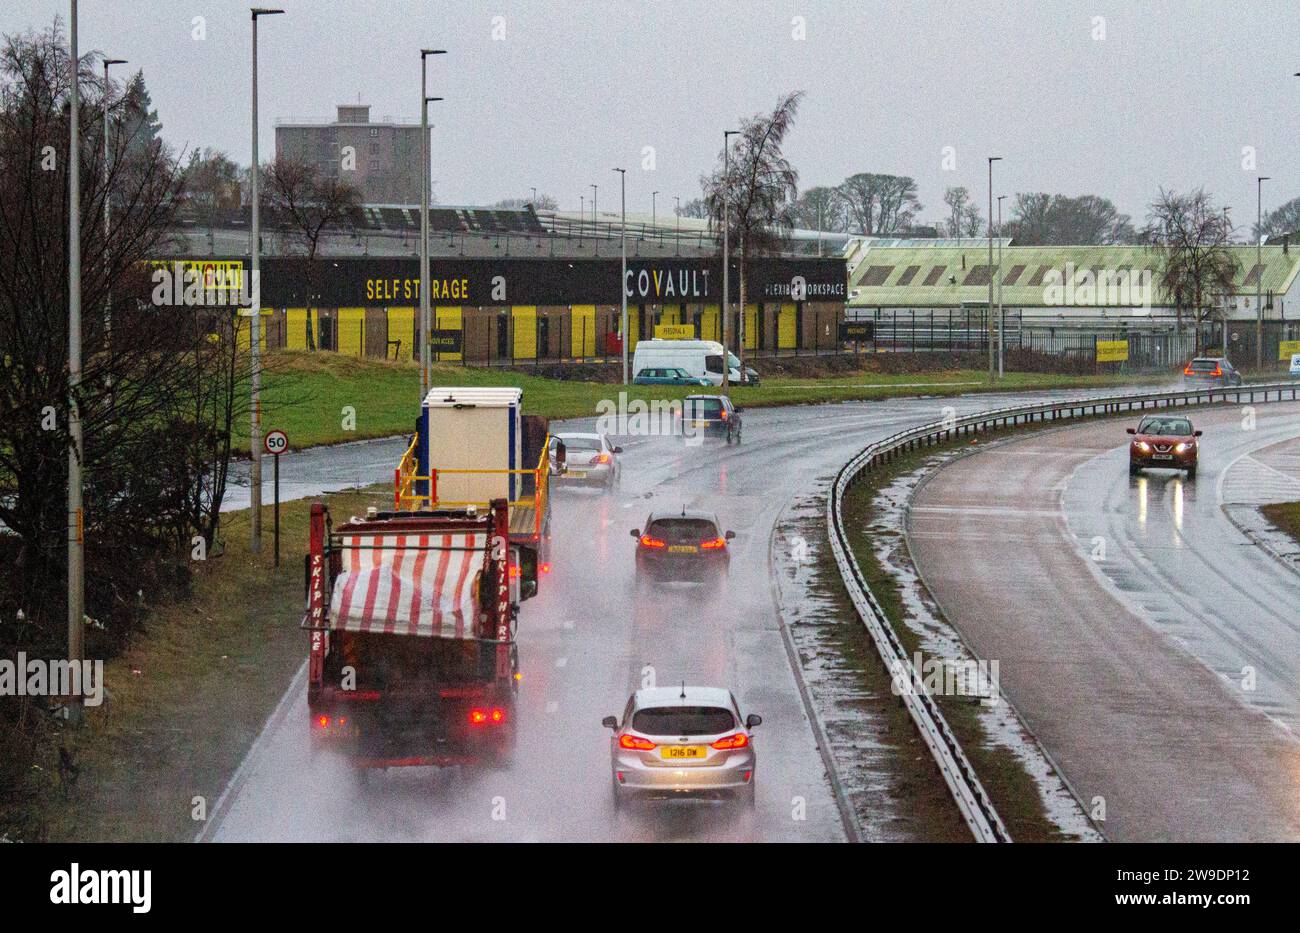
(189, 696)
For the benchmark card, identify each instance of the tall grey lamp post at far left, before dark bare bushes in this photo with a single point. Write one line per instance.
(76, 519)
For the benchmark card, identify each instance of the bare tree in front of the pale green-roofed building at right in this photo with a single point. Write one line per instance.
(1191, 238)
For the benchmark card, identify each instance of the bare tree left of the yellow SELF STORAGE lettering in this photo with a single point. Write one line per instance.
(307, 205)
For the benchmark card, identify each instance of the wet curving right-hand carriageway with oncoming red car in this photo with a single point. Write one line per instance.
(1149, 644)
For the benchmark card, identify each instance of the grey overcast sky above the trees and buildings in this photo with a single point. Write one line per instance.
(1172, 96)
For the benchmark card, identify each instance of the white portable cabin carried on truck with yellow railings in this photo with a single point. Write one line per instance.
(473, 429)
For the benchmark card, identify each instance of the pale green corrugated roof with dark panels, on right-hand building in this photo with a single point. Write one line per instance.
(948, 288)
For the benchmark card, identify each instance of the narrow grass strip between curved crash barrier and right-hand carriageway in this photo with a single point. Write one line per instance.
(1013, 789)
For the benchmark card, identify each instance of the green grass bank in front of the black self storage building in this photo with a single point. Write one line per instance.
(322, 398)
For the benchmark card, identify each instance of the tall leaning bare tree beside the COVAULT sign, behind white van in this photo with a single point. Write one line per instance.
(760, 190)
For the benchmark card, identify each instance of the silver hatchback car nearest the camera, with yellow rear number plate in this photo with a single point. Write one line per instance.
(683, 741)
